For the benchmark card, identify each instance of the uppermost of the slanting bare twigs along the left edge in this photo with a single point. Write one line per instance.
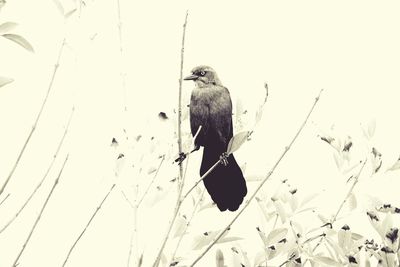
(36, 121)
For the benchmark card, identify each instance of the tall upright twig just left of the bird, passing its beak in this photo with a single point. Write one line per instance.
(181, 178)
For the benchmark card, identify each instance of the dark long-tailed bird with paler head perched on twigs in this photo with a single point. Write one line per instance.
(211, 108)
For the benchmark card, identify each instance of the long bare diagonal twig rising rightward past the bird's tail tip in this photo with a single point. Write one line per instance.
(260, 185)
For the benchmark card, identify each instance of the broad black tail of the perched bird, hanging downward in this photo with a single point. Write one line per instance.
(225, 184)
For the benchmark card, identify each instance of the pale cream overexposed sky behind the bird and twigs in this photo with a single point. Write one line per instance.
(348, 48)
